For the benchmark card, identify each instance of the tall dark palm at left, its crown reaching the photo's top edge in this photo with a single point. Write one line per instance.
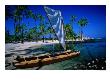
(20, 13)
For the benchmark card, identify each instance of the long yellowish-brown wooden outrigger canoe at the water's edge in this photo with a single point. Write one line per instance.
(30, 62)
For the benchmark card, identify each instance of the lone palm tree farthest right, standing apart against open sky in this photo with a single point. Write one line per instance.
(82, 23)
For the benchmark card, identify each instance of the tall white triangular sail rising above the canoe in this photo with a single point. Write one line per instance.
(57, 24)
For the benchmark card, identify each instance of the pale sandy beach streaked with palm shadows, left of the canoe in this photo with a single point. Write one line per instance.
(12, 50)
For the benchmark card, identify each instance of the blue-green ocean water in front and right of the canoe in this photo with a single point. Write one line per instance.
(88, 51)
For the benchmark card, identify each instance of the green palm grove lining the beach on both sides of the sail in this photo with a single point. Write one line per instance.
(41, 27)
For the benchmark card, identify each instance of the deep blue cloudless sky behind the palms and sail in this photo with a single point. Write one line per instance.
(96, 15)
